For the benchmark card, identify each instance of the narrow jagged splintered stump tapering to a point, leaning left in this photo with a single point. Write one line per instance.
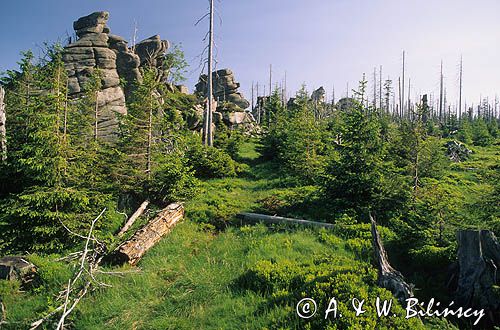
(388, 277)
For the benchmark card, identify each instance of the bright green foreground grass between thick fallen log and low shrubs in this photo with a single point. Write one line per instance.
(188, 281)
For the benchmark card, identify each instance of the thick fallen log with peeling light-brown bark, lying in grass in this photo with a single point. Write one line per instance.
(131, 251)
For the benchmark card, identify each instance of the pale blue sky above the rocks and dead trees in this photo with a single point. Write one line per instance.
(317, 42)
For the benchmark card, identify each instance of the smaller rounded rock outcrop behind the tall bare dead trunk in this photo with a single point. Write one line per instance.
(225, 88)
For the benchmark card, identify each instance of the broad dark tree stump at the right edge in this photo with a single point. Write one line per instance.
(479, 260)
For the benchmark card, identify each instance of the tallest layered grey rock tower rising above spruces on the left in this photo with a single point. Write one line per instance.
(96, 48)
